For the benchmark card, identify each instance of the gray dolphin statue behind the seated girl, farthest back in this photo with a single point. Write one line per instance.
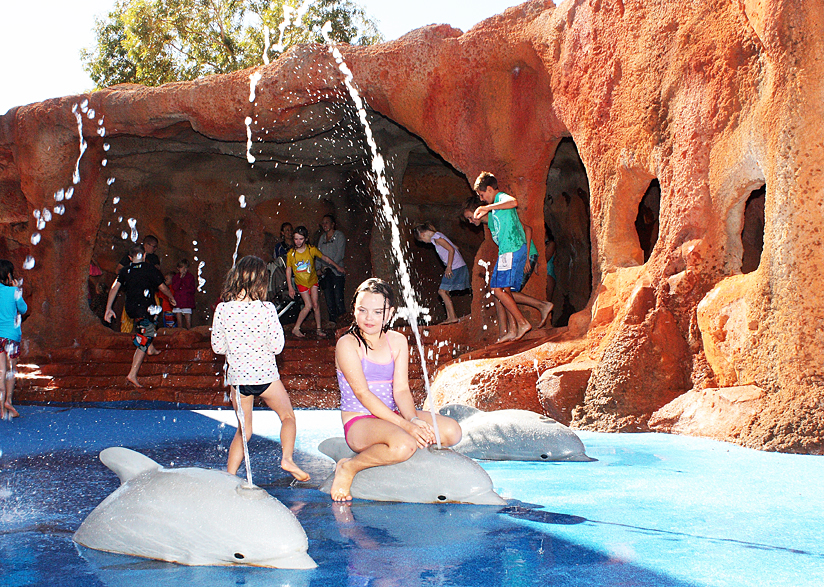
(514, 435)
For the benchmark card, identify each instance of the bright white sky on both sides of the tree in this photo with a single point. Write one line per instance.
(41, 41)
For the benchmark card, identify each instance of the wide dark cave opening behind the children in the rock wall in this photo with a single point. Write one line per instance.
(194, 193)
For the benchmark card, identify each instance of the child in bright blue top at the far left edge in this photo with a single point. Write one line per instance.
(12, 308)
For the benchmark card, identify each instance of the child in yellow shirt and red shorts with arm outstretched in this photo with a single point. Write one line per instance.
(300, 262)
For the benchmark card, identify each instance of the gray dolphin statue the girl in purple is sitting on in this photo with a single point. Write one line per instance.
(431, 475)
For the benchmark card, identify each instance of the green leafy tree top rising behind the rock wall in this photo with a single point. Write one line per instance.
(153, 42)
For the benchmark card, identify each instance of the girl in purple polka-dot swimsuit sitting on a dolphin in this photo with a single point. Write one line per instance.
(380, 421)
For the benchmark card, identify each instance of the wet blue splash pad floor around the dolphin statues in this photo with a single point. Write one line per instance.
(653, 510)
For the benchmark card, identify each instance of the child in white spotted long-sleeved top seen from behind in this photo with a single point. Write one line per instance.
(247, 330)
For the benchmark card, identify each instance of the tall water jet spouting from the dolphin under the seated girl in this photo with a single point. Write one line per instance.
(413, 310)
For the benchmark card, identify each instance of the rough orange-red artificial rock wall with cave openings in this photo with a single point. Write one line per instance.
(713, 99)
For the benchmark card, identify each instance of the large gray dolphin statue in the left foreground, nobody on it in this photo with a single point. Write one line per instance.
(192, 516)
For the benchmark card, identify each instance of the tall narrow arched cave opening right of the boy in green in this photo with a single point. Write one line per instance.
(567, 218)
